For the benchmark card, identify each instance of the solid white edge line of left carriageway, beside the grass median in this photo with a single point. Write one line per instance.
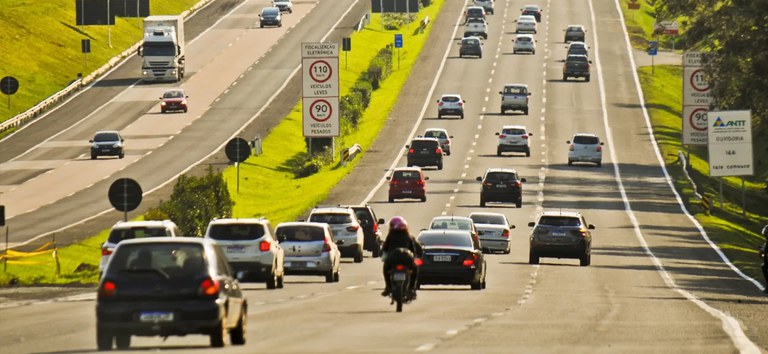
(191, 166)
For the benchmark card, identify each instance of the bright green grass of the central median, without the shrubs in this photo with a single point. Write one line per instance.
(267, 186)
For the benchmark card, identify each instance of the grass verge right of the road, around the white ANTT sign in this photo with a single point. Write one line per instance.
(735, 234)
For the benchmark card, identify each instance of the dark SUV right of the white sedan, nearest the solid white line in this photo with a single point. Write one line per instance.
(561, 234)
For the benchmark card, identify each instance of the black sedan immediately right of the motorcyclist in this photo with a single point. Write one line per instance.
(451, 258)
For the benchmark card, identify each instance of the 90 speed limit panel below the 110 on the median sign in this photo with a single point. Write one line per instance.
(321, 117)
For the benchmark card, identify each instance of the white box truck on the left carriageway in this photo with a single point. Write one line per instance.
(163, 48)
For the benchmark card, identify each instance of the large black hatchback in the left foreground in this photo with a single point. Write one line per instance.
(168, 286)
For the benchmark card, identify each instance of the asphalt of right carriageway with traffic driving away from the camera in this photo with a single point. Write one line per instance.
(654, 285)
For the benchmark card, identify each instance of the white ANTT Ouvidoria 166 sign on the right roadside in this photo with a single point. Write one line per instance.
(730, 143)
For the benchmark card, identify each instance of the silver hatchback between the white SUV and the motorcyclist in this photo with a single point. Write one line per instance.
(310, 249)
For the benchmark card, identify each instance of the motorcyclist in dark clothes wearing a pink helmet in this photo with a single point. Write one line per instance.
(398, 237)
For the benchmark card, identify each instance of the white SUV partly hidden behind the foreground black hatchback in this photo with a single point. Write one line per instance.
(126, 230)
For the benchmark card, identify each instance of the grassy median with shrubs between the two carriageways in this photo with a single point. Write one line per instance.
(269, 186)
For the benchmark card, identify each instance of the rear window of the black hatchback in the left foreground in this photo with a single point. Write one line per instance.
(159, 259)
